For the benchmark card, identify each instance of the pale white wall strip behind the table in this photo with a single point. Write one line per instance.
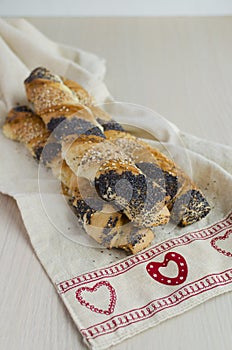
(114, 7)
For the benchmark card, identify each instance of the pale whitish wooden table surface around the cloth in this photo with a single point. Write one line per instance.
(182, 68)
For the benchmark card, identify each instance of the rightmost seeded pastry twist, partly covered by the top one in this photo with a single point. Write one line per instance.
(185, 200)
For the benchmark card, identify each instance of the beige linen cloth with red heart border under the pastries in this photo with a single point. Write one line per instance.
(96, 284)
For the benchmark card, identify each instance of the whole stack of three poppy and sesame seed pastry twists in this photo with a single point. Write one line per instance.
(119, 187)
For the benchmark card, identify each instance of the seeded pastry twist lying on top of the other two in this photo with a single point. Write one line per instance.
(89, 154)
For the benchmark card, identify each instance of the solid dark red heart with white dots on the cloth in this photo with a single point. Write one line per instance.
(153, 269)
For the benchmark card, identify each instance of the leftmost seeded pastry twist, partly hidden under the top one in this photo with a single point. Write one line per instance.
(99, 219)
